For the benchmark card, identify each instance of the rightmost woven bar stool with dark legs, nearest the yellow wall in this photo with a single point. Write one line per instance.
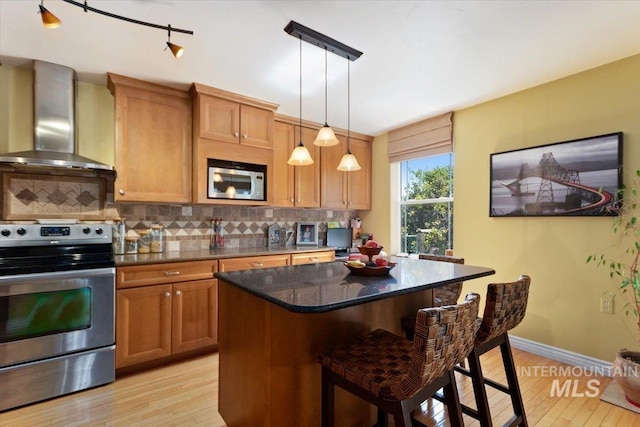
(504, 309)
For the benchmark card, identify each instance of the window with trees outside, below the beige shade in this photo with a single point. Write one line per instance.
(426, 204)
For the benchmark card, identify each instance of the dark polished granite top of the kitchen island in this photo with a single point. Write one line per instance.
(317, 288)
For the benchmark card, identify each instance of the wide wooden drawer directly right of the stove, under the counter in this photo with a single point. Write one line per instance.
(154, 274)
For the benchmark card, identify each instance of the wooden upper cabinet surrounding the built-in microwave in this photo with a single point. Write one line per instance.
(228, 126)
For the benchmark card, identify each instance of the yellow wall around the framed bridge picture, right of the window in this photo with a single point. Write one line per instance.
(564, 300)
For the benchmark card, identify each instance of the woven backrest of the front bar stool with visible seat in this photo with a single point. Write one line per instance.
(444, 336)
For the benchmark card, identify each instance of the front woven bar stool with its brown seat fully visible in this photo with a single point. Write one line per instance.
(396, 374)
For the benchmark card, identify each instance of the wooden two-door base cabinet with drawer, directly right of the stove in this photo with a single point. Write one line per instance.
(165, 309)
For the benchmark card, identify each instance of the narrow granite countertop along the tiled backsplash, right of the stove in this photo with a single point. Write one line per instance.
(206, 254)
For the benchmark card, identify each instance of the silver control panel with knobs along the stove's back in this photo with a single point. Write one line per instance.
(40, 235)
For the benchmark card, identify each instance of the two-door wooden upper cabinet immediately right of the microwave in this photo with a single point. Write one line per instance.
(294, 185)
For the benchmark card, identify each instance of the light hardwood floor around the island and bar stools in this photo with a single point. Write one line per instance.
(186, 394)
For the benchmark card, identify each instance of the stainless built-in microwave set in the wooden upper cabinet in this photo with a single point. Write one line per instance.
(236, 180)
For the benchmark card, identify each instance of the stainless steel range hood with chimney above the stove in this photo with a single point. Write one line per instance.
(54, 119)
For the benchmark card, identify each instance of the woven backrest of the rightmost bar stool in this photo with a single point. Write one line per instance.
(504, 309)
